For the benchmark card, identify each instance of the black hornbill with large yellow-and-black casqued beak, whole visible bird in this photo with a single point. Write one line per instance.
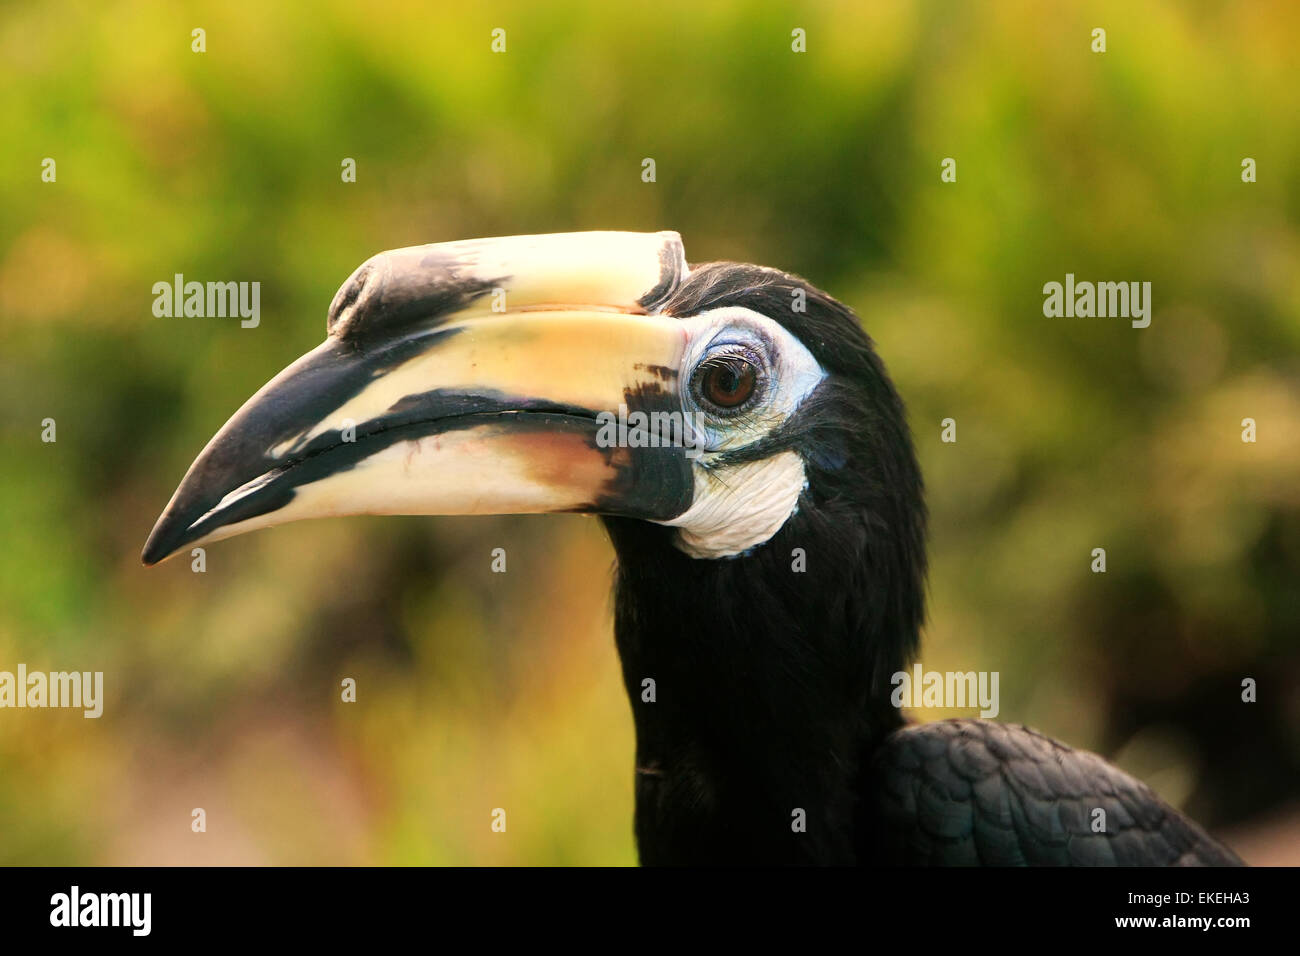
(765, 504)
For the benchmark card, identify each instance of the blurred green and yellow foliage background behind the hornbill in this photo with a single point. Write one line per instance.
(479, 691)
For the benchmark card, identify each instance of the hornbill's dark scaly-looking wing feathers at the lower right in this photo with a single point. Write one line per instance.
(978, 793)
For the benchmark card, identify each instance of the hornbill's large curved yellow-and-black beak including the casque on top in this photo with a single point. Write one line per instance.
(465, 378)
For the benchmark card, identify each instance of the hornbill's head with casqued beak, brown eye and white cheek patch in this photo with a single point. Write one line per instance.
(718, 416)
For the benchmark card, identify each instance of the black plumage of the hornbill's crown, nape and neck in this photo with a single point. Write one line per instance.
(770, 682)
